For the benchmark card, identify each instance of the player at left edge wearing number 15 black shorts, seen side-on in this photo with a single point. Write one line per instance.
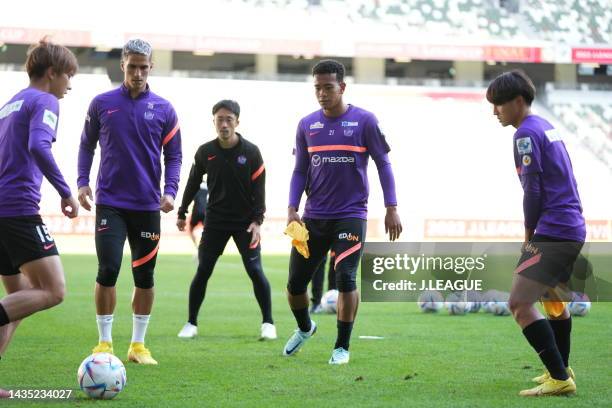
(30, 265)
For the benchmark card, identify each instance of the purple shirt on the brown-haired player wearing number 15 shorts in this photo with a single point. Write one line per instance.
(28, 125)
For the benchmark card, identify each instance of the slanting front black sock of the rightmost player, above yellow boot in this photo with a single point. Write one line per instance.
(541, 337)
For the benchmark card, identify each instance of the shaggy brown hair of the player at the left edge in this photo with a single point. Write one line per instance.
(45, 54)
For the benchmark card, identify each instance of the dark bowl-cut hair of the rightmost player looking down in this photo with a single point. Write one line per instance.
(508, 86)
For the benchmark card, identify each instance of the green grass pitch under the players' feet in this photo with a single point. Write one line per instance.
(478, 360)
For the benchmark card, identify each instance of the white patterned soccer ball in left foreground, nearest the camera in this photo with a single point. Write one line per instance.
(101, 376)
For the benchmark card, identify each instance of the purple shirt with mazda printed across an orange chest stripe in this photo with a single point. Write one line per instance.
(331, 160)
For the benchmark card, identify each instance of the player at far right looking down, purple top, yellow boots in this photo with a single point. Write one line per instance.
(554, 229)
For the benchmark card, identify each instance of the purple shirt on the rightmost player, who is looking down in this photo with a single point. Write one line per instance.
(551, 202)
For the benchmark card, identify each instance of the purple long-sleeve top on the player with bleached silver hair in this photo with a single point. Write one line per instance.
(132, 134)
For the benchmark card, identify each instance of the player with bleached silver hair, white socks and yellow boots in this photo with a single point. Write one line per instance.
(133, 126)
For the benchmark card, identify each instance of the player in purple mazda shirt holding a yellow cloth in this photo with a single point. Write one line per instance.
(332, 149)
